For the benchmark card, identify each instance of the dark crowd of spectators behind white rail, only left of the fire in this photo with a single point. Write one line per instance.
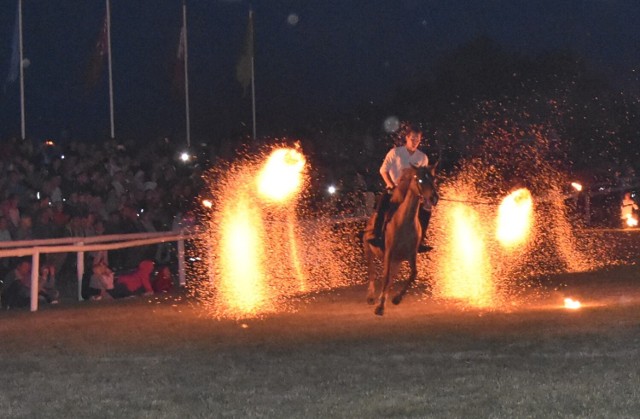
(50, 190)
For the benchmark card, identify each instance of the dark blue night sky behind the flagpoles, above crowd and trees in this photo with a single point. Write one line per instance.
(313, 58)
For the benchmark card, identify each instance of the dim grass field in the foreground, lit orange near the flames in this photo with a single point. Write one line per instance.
(160, 358)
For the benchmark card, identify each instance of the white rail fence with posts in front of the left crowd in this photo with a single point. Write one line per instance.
(80, 245)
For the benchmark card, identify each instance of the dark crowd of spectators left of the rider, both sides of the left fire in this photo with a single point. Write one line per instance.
(80, 189)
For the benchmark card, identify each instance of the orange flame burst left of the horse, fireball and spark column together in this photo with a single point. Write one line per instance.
(257, 261)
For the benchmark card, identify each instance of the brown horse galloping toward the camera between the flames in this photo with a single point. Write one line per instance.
(402, 233)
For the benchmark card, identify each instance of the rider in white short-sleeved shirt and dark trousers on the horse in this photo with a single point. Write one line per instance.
(397, 159)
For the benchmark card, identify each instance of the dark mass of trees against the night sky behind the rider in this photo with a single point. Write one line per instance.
(480, 93)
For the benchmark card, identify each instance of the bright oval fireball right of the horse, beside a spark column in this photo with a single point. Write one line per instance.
(515, 219)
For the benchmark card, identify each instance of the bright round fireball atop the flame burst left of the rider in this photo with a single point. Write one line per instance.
(281, 176)
